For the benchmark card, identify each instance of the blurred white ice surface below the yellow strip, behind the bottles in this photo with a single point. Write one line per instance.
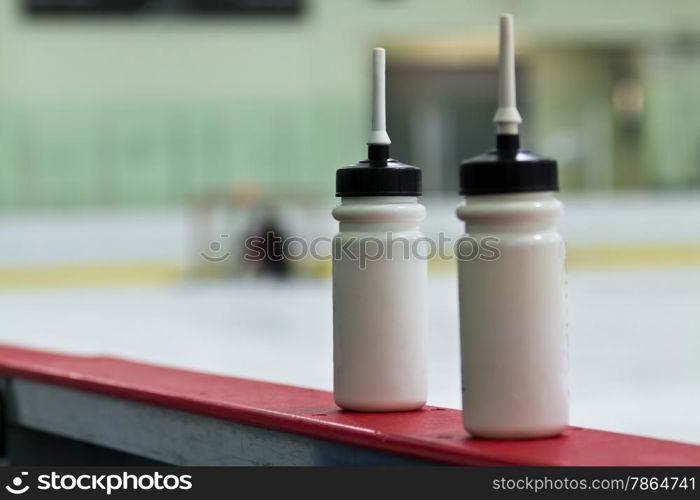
(634, 338)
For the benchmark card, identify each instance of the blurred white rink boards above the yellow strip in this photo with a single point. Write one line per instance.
(178, 234)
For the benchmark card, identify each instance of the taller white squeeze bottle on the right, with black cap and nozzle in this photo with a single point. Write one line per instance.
(512, 304)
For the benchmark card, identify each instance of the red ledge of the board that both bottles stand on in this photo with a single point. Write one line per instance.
(434, 434)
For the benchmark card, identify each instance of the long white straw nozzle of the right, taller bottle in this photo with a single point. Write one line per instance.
(507, 117)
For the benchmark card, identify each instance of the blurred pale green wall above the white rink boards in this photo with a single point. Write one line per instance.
(133, 111)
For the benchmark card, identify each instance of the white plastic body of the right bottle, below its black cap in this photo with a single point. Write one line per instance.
(513, 318)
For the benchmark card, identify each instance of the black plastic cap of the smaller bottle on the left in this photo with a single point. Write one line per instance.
(378, 175)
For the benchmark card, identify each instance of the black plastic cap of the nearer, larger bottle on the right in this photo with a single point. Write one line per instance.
(508, 169)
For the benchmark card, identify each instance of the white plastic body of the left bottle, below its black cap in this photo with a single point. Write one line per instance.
(379, 318)
